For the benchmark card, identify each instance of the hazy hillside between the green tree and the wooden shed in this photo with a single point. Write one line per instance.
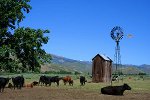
(62, 63)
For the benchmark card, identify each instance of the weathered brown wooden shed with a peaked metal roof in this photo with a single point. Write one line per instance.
(101, 68)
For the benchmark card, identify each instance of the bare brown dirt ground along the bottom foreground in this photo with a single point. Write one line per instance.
(57, 93)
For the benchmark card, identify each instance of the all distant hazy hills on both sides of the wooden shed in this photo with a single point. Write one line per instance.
(61, 63)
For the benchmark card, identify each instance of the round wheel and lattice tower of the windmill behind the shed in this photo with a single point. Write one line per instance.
(117, 34)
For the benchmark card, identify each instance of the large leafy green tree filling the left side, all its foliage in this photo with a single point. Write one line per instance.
(24, 45)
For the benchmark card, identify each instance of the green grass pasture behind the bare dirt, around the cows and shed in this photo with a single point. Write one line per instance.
(137, 83)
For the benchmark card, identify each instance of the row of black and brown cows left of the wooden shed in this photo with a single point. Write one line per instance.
(19, 81)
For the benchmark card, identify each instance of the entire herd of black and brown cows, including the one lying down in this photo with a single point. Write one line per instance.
(19, 82)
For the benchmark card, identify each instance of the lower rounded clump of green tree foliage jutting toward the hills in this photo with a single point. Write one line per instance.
(27, 45)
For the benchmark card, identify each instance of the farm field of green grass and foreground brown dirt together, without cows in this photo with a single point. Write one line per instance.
(91, 91)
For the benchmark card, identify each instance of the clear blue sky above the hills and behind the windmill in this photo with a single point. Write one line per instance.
(80, 29)
